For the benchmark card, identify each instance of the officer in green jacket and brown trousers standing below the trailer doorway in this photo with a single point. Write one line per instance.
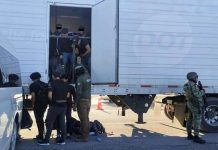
(83, 100)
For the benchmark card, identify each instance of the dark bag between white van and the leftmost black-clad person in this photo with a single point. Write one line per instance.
(26, 120)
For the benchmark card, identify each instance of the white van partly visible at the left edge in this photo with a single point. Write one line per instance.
(11, 102)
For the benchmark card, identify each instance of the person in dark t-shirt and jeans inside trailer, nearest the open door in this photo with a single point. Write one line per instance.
(84, 49)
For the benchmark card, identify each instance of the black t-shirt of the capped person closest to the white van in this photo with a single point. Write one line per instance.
(35, 87)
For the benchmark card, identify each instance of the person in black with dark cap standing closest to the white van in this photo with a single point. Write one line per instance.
(39, 98)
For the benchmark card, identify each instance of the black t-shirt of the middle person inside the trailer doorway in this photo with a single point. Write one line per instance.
(65, 44)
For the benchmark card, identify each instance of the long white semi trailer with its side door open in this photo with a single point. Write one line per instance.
(140, 48)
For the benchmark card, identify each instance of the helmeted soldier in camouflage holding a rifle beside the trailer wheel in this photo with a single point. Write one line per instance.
(194, 97)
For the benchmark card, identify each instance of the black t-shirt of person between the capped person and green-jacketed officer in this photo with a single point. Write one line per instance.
(59, 90)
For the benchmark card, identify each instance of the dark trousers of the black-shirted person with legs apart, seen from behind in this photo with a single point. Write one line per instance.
(55, 112)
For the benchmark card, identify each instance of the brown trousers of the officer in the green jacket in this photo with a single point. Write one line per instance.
(83, 109)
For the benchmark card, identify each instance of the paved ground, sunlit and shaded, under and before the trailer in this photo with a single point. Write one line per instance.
(157, 133)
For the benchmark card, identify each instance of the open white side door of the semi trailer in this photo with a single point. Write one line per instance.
(104, 59)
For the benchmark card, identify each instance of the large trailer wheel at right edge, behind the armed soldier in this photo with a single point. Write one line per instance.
(210, 116)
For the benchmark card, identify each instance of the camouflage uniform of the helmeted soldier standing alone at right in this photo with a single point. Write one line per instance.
(194, 99)
